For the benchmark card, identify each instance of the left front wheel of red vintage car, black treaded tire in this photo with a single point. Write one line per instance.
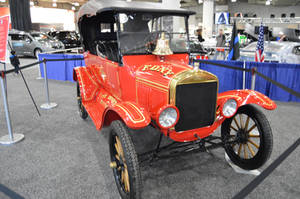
(125, 162)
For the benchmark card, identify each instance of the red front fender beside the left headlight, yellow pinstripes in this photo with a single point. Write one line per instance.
(133, 115)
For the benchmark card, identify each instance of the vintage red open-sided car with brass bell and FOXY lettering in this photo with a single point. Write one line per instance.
(137, 74)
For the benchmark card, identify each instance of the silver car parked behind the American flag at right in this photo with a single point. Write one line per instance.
(274, 51)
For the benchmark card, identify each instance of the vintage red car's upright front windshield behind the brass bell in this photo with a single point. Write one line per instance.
(139, 32)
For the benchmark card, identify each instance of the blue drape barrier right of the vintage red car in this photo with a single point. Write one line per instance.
(286, 74)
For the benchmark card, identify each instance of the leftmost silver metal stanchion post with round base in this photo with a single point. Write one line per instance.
(10, 138)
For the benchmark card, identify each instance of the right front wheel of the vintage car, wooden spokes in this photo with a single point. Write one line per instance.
(243, 132)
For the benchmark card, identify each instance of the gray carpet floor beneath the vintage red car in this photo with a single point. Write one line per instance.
(64, 157)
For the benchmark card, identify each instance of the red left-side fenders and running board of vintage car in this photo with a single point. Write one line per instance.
(103, 108)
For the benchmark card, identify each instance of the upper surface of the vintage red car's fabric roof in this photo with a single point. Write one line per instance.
(93, 7)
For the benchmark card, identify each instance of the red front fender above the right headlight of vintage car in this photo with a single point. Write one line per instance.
(244, 97)
